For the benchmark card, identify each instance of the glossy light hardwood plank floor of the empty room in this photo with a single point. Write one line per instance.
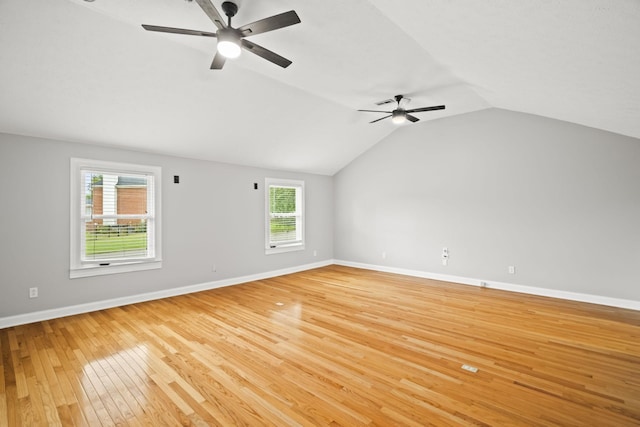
(331, 346)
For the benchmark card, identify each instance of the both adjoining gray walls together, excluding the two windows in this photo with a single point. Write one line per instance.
(559, 201)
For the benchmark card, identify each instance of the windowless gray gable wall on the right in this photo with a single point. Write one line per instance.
(560, 202)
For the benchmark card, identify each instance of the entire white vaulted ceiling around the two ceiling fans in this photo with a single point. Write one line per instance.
(88, 72)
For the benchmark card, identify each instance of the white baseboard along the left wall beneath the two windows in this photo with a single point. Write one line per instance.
(22, 319)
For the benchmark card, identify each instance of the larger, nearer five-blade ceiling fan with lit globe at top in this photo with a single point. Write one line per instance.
(231, 40)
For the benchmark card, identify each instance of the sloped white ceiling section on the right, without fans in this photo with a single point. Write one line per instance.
(572, 60)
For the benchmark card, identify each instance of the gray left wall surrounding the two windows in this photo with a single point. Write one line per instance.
(213, 216)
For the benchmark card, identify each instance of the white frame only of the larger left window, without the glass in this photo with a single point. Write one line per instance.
(82, 268)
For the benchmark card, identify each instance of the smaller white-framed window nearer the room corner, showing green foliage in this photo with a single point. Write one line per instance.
(284, 200)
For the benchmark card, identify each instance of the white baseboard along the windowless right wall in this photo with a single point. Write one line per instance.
(532, 290)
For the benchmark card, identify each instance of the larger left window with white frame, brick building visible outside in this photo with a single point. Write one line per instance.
(115, 217)
